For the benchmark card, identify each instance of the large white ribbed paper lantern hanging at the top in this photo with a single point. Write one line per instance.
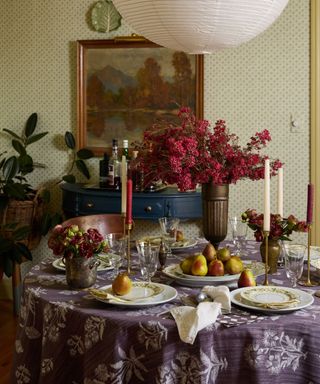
(200, 26)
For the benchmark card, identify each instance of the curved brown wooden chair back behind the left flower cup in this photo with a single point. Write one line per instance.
(104, 223)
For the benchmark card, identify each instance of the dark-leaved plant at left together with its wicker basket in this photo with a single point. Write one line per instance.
(24, 213)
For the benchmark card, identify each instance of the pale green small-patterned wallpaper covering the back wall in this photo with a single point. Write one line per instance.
(255, 86)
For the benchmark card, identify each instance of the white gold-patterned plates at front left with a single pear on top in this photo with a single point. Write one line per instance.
(142, 294)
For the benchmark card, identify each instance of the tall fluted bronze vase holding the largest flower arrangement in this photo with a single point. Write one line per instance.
(215, 199)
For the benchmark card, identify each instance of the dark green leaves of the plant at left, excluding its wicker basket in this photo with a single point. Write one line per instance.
(15, 186)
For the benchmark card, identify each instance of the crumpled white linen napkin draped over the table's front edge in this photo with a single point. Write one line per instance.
(191, 320)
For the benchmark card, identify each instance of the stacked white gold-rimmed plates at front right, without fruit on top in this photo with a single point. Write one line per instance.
(276, 296)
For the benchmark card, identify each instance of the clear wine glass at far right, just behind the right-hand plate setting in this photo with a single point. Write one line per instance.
(293, 261)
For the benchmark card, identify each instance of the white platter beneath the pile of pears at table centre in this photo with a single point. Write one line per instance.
(174, 271)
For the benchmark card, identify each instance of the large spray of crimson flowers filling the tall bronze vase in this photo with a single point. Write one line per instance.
(190, 153)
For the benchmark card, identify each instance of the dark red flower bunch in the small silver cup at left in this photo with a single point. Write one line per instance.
(71, 241)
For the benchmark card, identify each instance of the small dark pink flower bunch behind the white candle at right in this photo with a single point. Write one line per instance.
(280, 228)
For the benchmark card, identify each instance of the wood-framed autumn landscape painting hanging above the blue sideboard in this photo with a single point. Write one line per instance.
(127, 84)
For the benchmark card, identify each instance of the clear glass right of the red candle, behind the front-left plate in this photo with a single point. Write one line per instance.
(148, 259)
